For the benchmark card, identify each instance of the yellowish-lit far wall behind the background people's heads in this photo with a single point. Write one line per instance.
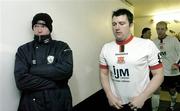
(142, 22)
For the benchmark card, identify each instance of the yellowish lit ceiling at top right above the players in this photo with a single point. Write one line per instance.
(144, 8)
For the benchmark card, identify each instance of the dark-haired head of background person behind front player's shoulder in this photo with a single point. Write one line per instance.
(146, 33)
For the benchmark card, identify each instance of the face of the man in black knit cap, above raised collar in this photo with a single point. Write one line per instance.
(40, 29)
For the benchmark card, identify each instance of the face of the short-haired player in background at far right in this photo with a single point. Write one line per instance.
(161, 30)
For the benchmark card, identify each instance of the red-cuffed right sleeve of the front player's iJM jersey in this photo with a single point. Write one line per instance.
(154, 57)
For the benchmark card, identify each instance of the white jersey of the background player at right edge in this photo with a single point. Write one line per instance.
(170, 52)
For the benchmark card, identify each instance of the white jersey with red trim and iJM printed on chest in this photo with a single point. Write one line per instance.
(129, 62)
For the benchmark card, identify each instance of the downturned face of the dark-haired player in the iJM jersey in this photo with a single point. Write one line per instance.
(121, 27)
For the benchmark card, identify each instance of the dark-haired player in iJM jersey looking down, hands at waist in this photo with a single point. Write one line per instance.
(125, 64)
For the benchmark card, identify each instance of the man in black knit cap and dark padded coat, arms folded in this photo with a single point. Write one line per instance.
(42, 70)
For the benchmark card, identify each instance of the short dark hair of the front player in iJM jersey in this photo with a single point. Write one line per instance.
(124, 12)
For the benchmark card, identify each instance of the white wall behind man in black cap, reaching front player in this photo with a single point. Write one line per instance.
(84, 24)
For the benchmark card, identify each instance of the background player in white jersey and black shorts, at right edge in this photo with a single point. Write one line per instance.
(170, 52)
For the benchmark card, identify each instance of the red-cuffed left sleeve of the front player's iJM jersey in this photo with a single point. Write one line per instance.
(102, 59)
